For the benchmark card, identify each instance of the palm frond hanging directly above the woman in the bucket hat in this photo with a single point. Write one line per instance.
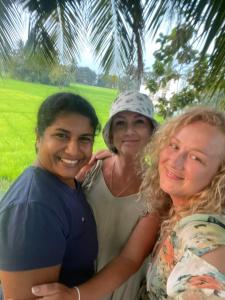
(117, 33)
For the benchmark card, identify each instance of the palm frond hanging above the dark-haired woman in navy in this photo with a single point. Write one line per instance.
(55, 28)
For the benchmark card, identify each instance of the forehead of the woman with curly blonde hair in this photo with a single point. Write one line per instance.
(203, 137)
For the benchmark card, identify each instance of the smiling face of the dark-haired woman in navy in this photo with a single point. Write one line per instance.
(66, 146)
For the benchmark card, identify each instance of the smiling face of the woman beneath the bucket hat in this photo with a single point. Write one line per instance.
(130, 132)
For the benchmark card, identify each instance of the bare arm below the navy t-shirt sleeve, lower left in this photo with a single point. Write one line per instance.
(18, 285)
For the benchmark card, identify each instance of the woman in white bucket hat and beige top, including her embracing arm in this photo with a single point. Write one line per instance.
(111, 188)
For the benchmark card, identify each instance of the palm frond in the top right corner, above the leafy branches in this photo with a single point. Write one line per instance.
(208, 17)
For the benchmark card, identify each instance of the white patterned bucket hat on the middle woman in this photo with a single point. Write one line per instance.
(129, 101)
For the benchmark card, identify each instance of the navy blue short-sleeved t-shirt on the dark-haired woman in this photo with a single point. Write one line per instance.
(43, 223)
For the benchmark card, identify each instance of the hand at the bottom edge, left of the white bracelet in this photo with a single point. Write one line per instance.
(55, 291)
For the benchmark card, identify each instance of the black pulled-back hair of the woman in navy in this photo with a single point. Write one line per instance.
(65, 103)
